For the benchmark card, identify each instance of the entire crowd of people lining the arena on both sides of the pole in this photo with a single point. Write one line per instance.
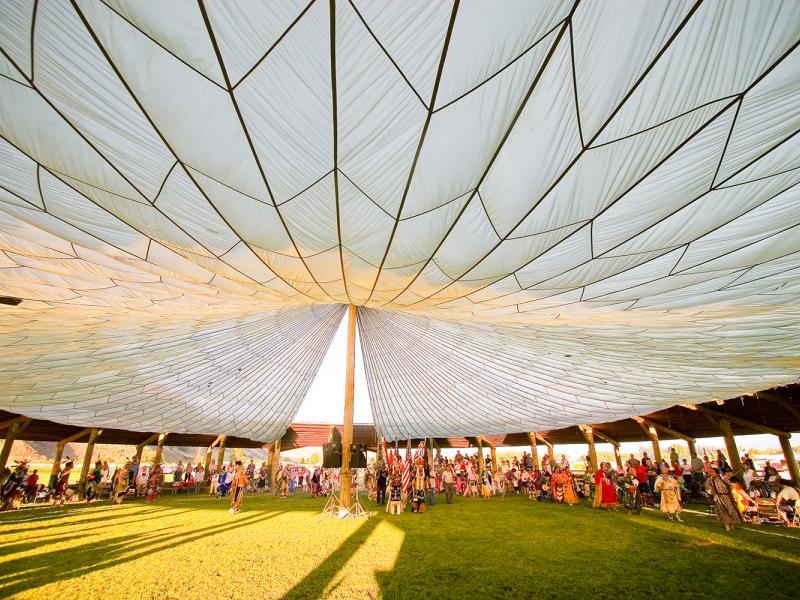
(666, 484)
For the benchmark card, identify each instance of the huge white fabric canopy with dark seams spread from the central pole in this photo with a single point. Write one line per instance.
(551, 212)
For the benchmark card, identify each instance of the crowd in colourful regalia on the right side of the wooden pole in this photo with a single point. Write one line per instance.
(667, 484)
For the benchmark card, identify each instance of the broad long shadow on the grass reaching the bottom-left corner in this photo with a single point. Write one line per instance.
(29, 572)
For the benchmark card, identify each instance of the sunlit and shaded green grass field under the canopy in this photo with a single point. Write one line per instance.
(190, 547)
